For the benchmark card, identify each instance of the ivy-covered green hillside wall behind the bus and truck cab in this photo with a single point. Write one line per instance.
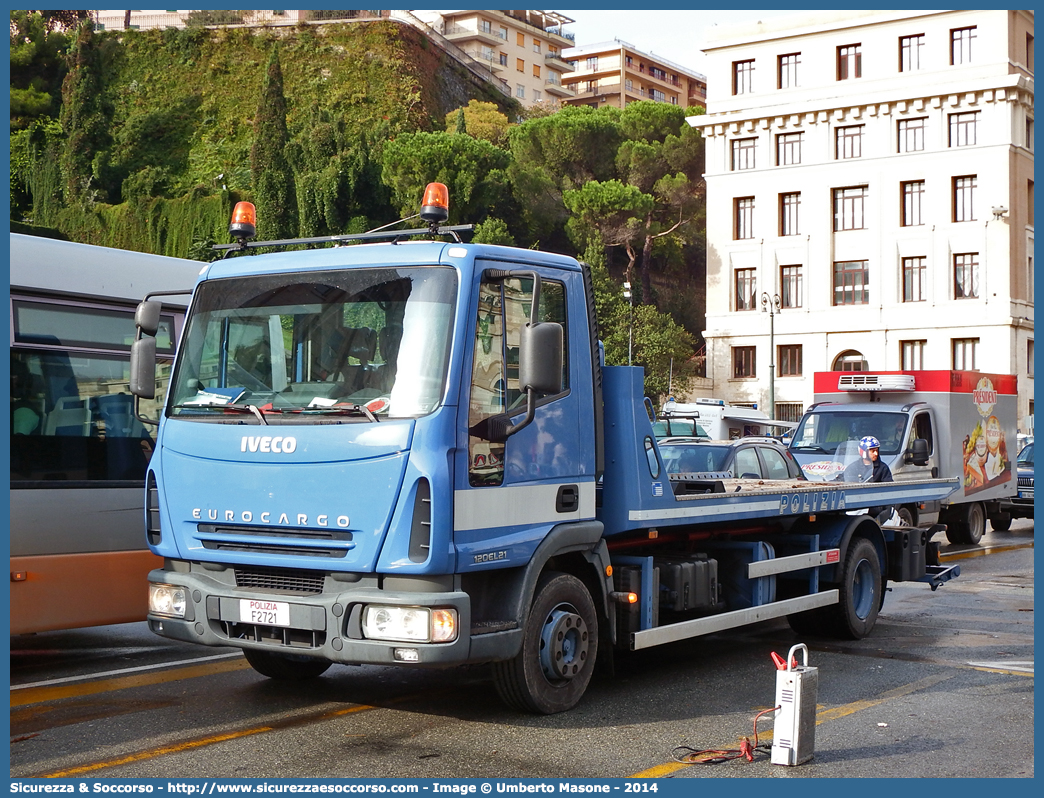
(157, 129)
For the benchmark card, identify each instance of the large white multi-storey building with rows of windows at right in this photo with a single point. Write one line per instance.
(870, 180)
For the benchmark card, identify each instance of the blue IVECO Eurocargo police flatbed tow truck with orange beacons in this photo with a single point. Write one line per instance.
(408, 453)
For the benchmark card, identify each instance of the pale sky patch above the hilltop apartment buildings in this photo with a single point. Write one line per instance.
(673, 35)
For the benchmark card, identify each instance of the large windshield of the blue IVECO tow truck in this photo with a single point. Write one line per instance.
(300, 345)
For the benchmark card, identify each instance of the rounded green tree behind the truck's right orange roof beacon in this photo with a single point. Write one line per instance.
(471, 169)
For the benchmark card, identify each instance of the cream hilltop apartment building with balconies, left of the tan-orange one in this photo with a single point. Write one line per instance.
(523, 50)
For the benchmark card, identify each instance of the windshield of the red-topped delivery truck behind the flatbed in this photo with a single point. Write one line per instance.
(828, 432)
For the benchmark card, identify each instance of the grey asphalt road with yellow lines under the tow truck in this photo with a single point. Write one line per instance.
(944, 688)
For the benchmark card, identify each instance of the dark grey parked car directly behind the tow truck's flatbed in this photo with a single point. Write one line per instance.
(747, 458)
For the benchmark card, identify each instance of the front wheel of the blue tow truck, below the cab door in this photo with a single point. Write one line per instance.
(560, 647)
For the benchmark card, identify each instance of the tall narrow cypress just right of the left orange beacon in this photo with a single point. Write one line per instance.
(274, 186)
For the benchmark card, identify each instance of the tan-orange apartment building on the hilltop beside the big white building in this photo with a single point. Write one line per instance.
(615, 74)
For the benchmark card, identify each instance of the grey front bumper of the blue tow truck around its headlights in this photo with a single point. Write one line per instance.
(325, 616)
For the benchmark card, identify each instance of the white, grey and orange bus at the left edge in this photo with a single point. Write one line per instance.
(79, 454)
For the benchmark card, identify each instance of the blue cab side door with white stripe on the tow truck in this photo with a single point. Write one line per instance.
(510, 492)
